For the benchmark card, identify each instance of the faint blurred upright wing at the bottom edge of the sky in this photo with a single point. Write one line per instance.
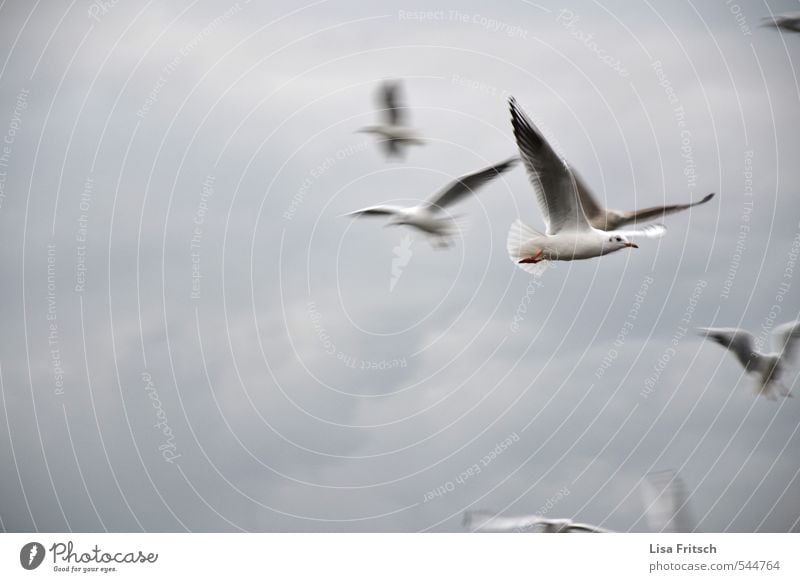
(666, 502)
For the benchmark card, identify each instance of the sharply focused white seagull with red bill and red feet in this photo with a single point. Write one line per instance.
(569, 235)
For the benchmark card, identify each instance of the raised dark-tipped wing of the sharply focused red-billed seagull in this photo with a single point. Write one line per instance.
(555, 185)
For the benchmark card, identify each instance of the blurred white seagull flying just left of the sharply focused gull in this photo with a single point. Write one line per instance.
(429, 216)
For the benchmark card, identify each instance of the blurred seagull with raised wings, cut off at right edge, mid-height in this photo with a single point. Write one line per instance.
(767, 367)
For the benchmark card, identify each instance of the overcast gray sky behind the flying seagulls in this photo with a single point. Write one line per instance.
(127, 128)
